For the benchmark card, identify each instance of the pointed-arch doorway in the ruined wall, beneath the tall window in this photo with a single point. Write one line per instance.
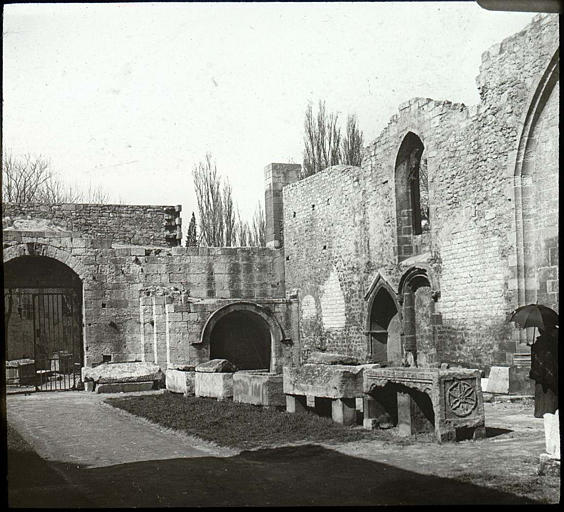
(384, 329)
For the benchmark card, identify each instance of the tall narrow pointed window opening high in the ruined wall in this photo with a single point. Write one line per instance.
(412, 198)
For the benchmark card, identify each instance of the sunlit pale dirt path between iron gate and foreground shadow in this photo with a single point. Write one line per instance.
(78, 428)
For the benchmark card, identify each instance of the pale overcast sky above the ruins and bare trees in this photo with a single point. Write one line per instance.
(131, 96)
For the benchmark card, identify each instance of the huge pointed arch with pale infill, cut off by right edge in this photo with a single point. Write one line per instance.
(536, 175)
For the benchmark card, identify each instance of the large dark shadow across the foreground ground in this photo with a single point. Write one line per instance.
(305, 475)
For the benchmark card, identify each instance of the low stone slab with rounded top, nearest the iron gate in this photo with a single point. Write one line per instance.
(122, 377)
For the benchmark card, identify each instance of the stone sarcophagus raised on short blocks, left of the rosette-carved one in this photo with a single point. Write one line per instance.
(310, 384)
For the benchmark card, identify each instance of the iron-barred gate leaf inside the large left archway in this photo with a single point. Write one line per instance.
(57, 340)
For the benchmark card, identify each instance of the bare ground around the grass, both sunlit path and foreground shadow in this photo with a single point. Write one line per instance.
(93, 455)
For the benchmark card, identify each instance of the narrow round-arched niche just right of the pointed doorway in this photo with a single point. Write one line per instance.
(418, 291)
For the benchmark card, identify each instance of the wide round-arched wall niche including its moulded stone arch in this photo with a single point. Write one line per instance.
(246, 332)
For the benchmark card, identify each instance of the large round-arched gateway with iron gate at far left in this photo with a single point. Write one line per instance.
(43, 322)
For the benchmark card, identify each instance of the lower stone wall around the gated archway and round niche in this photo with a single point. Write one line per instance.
(125, 289)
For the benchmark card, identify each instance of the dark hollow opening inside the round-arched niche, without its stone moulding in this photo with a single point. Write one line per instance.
(243, 338)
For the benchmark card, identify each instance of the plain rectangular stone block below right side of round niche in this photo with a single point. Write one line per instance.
(258, 387)
